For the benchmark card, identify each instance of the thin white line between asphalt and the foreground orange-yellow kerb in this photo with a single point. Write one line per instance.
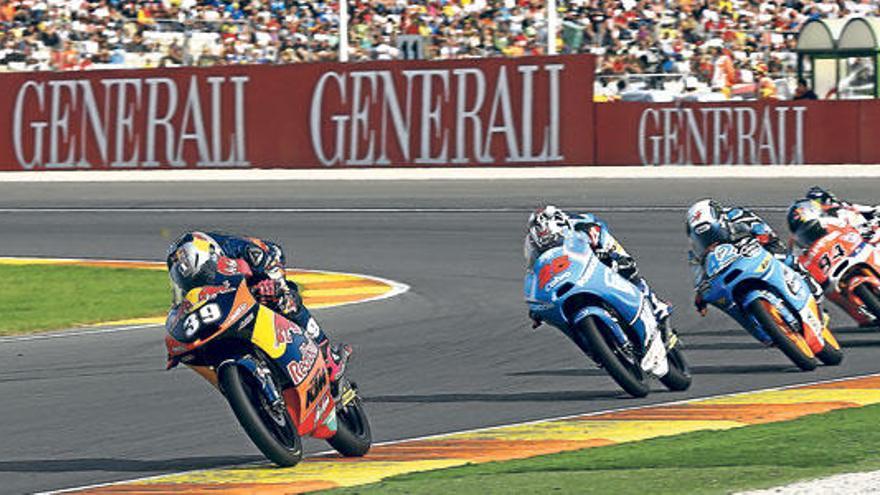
(486, 428)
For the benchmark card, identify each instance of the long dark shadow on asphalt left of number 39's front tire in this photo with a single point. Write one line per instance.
(110, 464)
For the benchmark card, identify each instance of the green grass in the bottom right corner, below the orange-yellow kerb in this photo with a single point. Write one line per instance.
(707, 462)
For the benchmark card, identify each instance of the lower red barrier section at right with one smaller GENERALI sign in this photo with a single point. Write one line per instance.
(788, 132)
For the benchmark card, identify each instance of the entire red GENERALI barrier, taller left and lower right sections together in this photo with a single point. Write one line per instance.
(480, 112)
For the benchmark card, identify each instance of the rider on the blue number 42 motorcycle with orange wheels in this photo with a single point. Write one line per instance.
(708, 224)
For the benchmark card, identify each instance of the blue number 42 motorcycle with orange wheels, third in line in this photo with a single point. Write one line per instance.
(770, 300)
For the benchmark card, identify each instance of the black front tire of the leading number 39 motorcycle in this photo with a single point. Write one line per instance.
(244, 399)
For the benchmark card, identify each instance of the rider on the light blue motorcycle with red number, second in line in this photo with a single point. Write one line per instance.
(549, 226)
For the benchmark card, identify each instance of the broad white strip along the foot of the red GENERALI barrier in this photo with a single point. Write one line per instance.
(450, 173)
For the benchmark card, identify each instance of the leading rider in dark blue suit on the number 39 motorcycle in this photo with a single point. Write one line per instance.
(192, 261)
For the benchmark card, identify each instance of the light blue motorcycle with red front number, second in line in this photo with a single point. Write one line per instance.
(606, 316)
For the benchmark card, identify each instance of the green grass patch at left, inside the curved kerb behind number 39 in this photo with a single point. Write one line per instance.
(50, 297)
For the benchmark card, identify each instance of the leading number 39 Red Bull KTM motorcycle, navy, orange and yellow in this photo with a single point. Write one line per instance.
(272, 374)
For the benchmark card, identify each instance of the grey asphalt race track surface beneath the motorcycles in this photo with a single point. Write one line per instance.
(456, 352)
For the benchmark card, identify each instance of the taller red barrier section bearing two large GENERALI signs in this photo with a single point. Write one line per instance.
(525, 111)
